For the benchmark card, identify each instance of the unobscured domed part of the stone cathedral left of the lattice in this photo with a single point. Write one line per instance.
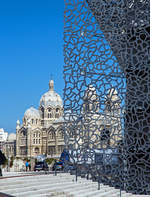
(42, 129)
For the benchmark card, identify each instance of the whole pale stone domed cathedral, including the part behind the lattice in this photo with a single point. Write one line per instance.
(42, 131)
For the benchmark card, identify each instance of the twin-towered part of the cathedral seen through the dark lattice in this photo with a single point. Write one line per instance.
(98, 125)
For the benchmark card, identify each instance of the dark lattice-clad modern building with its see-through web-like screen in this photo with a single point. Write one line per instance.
(107, 90)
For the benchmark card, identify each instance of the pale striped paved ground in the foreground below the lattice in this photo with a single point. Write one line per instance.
(49, 185)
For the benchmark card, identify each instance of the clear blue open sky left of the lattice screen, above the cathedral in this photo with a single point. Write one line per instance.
(31, 49)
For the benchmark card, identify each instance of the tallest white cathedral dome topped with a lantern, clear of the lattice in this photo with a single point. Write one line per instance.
(51, 98)
